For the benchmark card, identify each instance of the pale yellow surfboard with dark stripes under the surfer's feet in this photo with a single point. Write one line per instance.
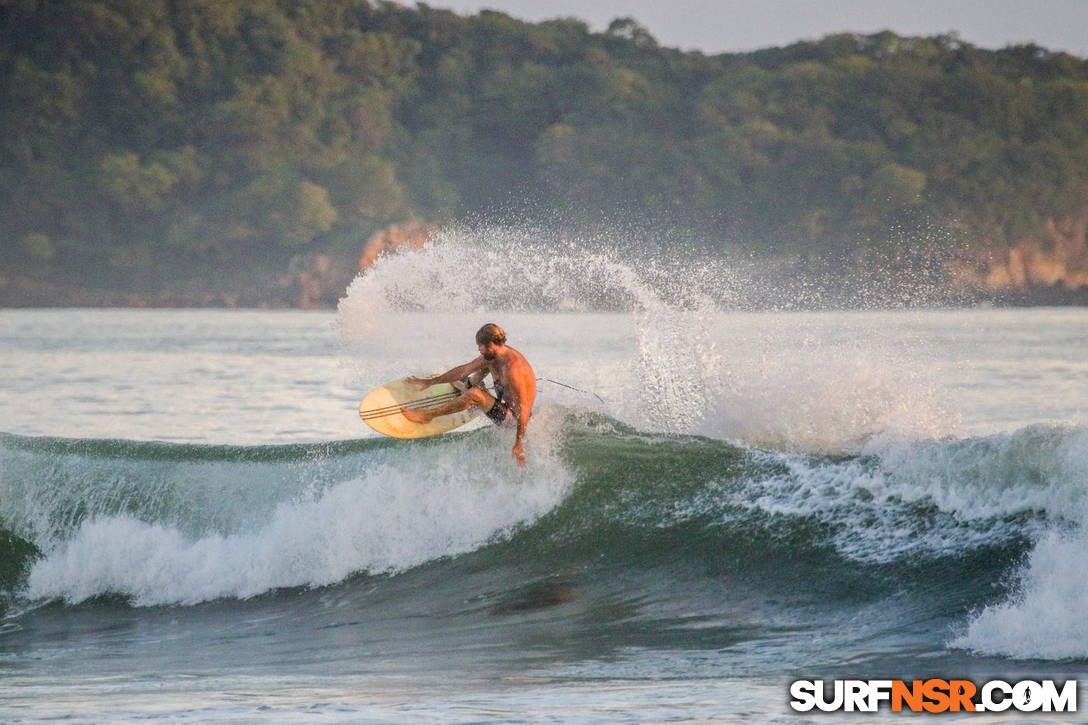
(381, 410)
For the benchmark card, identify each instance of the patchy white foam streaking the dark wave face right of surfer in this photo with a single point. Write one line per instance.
(910, 502)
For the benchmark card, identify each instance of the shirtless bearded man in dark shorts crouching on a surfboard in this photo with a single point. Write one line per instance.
(515, 387)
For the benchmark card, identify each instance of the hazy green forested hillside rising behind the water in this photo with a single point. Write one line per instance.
(154, 145)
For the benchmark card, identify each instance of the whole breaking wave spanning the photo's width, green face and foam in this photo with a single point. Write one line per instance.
(172, 524)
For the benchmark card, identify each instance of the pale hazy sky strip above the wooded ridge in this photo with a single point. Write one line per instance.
(728, 26)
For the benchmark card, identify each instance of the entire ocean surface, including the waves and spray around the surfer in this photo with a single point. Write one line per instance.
(195, 526)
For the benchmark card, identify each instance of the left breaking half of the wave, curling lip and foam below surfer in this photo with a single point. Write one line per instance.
(167, 524)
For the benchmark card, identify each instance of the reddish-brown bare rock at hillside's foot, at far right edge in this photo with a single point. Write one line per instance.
(1058, 260)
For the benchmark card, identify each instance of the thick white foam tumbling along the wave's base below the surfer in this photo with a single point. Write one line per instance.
(439, 501)
